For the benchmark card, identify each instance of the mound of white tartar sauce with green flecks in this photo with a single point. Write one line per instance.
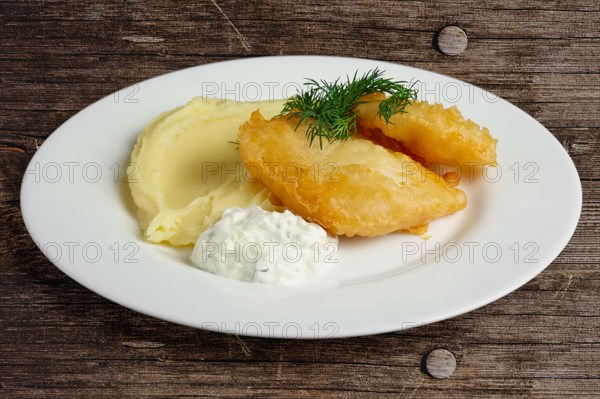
(252, 244)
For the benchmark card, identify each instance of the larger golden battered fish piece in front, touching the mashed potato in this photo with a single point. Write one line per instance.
(352, 187)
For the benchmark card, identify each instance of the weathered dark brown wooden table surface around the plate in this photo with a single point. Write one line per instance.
(59, 339)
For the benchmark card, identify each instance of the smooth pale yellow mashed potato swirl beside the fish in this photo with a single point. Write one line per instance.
(186, 170)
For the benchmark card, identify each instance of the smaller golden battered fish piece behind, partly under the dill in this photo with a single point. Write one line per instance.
(430, 131)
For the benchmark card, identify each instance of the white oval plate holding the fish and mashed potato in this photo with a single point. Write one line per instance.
(519, 218)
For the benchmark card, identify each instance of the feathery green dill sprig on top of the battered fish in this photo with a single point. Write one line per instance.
(327, 107)
